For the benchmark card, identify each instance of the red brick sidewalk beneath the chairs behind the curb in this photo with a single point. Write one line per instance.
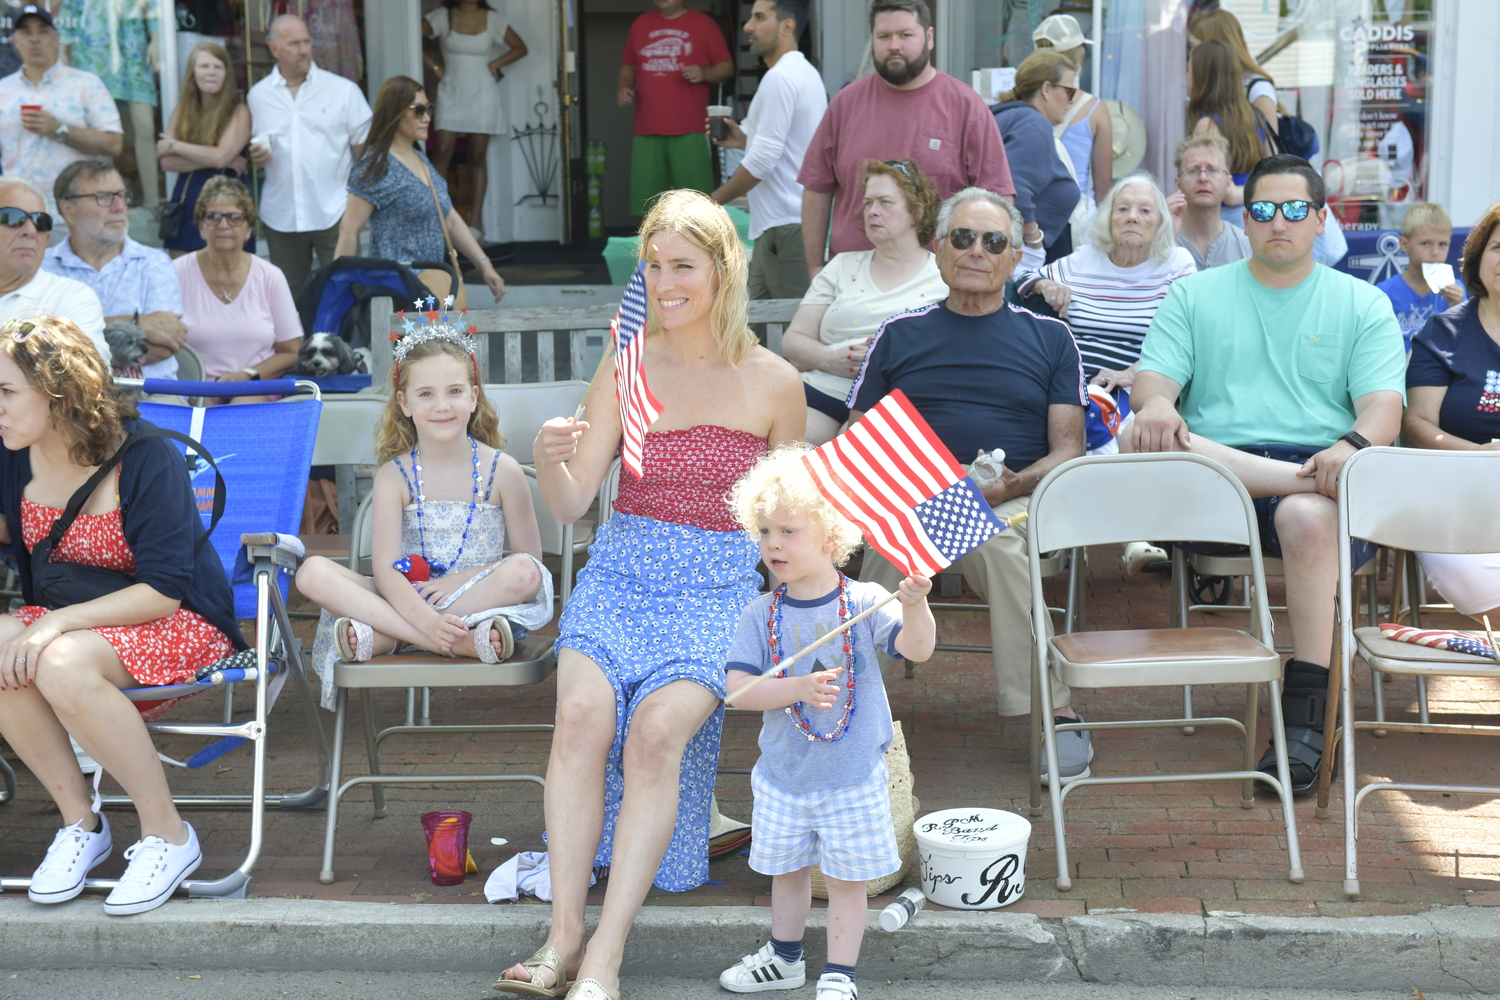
(1171, 848)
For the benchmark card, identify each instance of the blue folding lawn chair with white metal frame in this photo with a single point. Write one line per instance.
(263, 452)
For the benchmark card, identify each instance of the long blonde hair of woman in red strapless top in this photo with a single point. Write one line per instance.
(698, 220)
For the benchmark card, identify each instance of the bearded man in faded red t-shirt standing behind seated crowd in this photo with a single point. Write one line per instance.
(904, 112)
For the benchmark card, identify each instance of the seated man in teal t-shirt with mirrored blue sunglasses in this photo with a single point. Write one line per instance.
(1280, 370)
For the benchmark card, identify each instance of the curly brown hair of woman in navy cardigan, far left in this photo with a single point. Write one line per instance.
(61, 362)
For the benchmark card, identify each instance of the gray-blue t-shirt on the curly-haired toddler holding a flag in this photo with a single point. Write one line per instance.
(788, 756)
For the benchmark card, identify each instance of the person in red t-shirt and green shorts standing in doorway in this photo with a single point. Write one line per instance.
(671, 58)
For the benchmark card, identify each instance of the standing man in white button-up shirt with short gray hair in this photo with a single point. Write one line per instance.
(314, 125)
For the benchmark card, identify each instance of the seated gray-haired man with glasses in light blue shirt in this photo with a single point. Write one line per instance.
(134, 283)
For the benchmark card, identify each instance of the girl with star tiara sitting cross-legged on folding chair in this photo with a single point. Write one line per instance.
(446, 499)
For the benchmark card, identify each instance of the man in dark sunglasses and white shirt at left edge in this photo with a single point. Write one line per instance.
(26, 290)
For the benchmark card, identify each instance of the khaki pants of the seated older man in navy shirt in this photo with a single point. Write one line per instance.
(1000, 575)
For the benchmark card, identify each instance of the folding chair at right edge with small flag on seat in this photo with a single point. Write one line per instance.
(1418, 501)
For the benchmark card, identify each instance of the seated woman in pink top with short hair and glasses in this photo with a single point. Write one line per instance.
(238, 308)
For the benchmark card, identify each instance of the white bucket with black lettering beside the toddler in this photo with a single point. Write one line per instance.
(973, 860)
